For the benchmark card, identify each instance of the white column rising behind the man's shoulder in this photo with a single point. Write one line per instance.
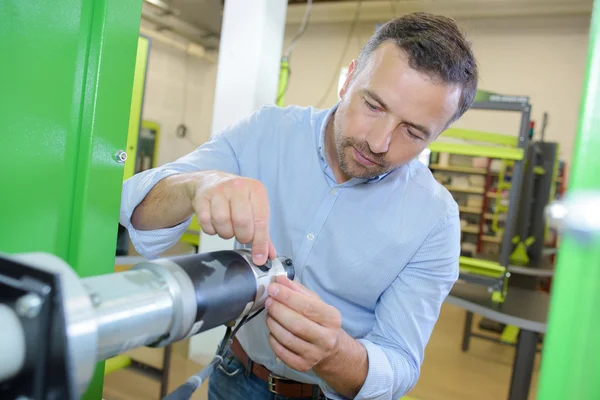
(248, 72)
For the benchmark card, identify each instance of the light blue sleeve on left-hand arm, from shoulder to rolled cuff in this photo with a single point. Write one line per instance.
(220, 153)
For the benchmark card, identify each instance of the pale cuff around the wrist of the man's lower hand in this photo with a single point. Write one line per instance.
(379, 382)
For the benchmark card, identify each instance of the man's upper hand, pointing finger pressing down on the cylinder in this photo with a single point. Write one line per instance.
(232, 206)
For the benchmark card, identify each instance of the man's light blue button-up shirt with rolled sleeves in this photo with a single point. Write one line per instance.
(383, 251)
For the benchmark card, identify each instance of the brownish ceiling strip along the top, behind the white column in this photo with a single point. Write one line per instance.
(199, 21)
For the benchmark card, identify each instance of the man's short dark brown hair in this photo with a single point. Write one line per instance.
(435, 46)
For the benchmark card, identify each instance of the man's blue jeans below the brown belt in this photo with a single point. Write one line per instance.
(229, 382)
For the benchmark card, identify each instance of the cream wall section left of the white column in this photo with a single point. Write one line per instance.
(179, 89)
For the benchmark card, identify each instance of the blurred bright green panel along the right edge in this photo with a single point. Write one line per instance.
(571, 356)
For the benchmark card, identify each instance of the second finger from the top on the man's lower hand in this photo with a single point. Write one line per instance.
(296, 323)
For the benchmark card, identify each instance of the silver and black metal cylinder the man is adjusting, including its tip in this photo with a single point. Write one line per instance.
(163, 301)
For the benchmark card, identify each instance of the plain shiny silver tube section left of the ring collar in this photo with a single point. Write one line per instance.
(132, 309)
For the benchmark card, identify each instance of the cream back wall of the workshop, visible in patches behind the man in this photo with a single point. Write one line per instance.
(543, 58)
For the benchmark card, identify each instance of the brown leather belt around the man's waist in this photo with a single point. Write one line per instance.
(277, 384)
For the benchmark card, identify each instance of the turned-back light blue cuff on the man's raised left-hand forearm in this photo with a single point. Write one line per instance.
(150, 243)
